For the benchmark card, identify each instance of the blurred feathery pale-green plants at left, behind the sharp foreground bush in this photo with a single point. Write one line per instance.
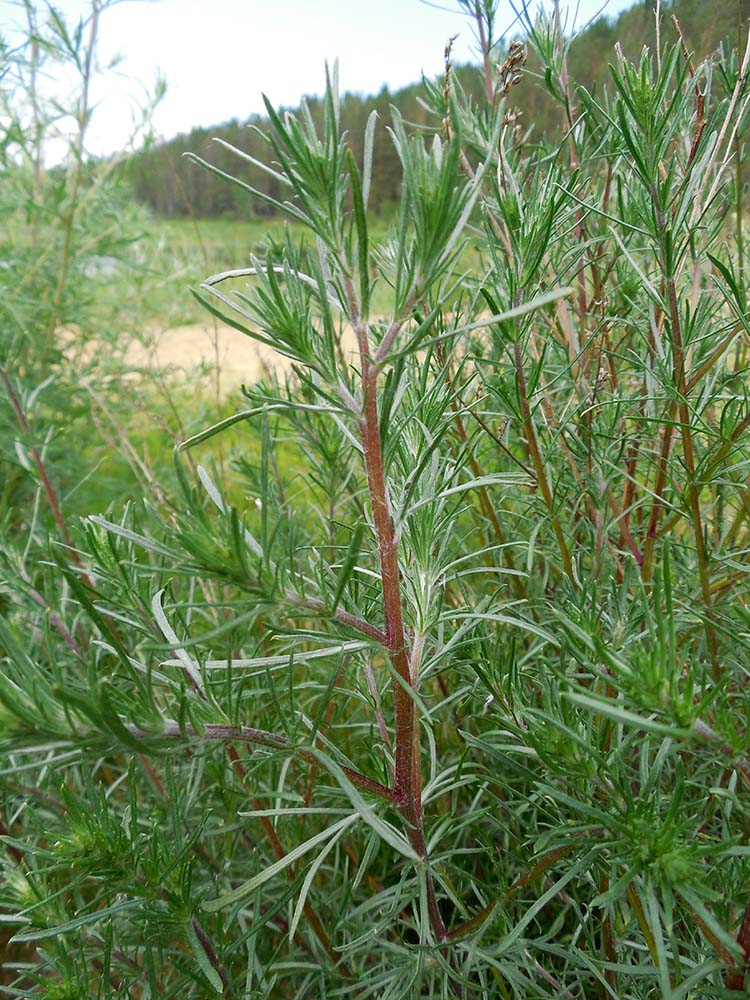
(81, 277)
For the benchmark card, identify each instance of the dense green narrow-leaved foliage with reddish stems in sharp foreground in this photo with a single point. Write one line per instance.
(451, 701)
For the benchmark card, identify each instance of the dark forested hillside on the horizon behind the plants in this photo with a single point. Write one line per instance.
(173, 186)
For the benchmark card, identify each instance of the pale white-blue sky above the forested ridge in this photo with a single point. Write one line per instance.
(218, 56)
